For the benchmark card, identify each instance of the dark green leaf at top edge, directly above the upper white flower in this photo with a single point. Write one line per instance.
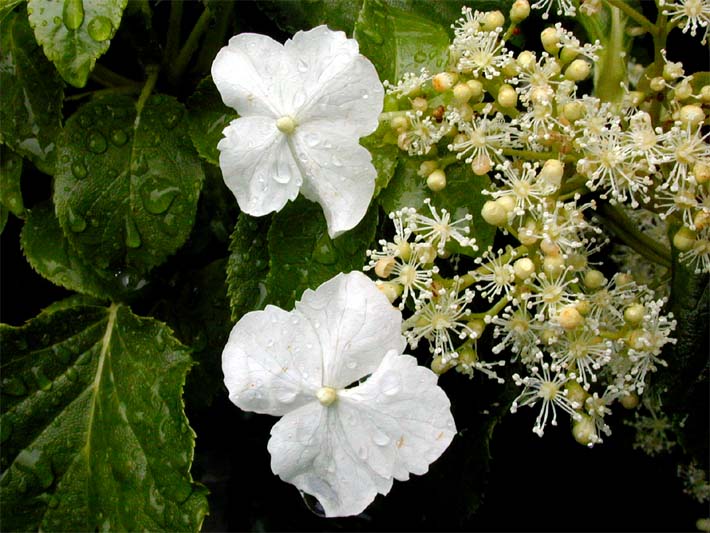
(294, 16)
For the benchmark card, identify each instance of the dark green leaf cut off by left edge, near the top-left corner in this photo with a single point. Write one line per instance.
(31, 96)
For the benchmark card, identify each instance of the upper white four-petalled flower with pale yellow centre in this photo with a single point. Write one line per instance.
(303, 107)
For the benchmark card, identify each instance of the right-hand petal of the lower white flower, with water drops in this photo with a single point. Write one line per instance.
(402, 415)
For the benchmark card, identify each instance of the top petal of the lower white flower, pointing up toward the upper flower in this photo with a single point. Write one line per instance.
(356, 326)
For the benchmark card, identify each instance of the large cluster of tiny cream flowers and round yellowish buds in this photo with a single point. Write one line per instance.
(570, 172)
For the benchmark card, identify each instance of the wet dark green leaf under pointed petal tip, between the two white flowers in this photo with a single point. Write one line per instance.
(302, 255)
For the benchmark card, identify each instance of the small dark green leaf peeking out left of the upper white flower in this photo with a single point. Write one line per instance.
(207, 117)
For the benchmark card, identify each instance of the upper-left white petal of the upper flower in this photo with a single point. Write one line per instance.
(255, 76)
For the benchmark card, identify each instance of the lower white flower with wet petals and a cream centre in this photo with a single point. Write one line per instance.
(342, 445)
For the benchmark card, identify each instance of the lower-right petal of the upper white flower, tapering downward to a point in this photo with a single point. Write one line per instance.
(338, 174)
